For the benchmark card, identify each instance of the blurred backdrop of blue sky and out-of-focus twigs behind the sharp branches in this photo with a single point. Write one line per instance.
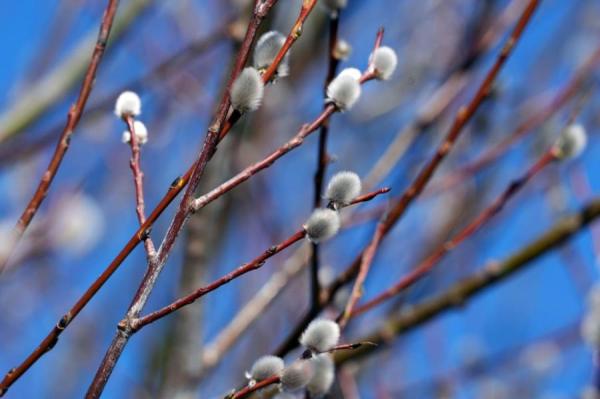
(518, 339)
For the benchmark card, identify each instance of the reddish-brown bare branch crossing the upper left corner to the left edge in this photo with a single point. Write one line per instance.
(62, 146)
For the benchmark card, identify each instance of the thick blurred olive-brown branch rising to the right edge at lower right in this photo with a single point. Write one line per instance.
(458, 294)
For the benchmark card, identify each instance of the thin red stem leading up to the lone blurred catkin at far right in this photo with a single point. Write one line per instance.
(432, 260)
